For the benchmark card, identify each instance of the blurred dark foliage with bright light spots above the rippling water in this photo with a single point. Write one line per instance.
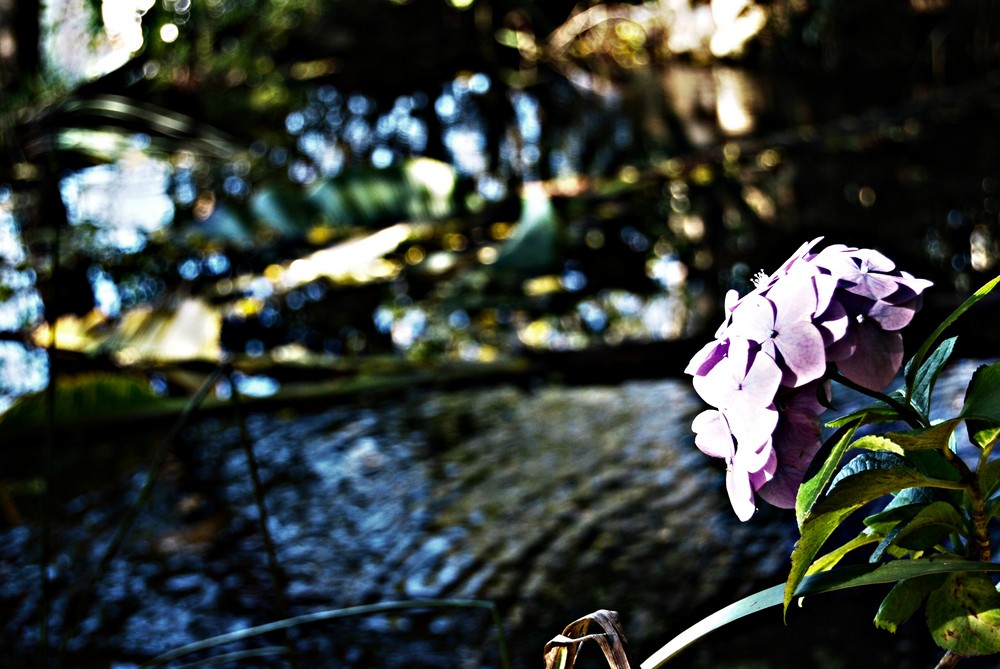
(477, 180)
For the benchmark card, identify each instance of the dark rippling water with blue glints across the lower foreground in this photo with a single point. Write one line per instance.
(551, 502)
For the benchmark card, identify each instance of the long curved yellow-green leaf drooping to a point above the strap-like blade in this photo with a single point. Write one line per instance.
(851, 494)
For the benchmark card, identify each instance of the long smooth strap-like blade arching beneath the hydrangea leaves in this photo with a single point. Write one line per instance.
(829, 581)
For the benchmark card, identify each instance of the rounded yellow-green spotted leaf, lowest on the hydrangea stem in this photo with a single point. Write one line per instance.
(963, 615)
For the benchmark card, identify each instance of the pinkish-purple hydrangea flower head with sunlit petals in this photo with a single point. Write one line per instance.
(765, 372)
